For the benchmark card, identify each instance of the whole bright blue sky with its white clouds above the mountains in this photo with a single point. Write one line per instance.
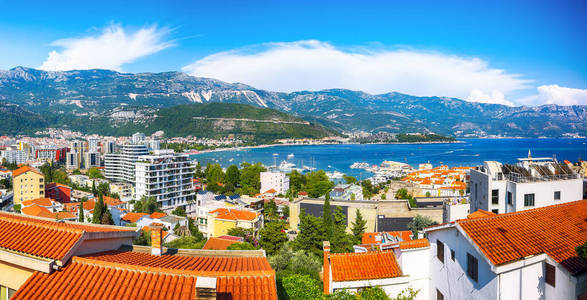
(510, 52)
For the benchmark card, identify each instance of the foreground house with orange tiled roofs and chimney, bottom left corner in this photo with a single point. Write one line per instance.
(43, 259)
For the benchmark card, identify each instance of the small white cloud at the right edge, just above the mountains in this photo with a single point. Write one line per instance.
(555, 94)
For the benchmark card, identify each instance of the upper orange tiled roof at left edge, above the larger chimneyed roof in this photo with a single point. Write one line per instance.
(42, 237)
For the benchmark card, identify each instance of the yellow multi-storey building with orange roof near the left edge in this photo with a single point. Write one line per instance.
(28, 184)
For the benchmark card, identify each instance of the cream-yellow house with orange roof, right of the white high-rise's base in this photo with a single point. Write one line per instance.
(222, 219)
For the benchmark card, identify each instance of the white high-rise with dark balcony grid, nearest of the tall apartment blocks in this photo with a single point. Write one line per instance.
(166, 176)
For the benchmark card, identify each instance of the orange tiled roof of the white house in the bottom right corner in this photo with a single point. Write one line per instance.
(555, 230)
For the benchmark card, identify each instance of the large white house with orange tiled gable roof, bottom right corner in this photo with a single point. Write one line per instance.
(520, 255)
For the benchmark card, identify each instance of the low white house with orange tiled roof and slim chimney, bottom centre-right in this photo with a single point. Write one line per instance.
(406, 266)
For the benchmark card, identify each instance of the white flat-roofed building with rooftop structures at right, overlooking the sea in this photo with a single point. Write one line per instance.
(531, 183)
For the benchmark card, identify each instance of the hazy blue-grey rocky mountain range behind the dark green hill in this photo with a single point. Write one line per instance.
(121, 97)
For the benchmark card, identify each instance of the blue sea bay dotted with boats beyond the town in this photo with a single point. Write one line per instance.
(467, 152)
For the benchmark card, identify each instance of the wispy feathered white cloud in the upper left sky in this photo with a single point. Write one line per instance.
(110, 49)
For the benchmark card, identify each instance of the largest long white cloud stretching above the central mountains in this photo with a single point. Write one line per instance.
(316, 65)
